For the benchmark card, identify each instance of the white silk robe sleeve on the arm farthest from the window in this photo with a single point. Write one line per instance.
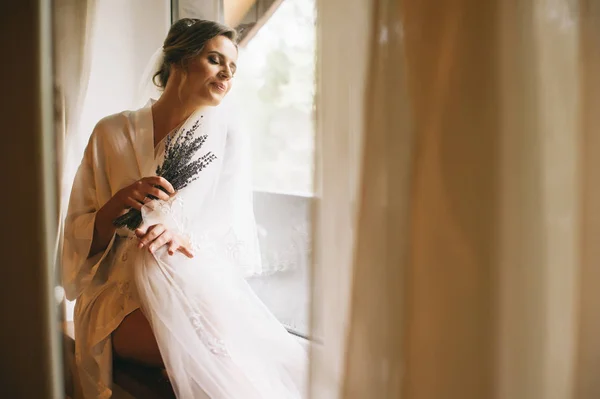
(79, 269)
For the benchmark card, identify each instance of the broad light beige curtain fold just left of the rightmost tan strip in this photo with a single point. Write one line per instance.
(539, 240)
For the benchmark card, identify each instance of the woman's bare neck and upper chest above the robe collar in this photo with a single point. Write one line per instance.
(168, 113)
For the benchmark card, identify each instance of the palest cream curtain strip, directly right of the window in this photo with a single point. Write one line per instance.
(340, 114)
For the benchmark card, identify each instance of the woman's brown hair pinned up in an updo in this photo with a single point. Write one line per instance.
(185, 40)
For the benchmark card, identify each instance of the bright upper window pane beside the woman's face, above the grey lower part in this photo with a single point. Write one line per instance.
(276, 85)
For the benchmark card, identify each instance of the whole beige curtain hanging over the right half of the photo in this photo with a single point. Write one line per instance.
(469, 268)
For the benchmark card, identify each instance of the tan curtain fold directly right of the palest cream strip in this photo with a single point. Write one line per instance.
(374, 351)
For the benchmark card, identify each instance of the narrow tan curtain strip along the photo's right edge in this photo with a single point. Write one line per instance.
(587, 363)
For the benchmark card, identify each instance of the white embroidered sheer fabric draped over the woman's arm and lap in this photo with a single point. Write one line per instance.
(218, 340)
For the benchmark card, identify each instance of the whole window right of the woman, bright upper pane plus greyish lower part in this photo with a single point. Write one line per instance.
(275, 87)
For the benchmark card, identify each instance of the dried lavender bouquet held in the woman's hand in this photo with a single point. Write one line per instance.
(177, 168)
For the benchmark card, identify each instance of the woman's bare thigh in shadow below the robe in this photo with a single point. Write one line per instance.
(134, 340)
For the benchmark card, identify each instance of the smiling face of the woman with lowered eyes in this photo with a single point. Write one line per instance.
(209, 75)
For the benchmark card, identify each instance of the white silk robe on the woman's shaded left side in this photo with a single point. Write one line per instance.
(120, 151)
